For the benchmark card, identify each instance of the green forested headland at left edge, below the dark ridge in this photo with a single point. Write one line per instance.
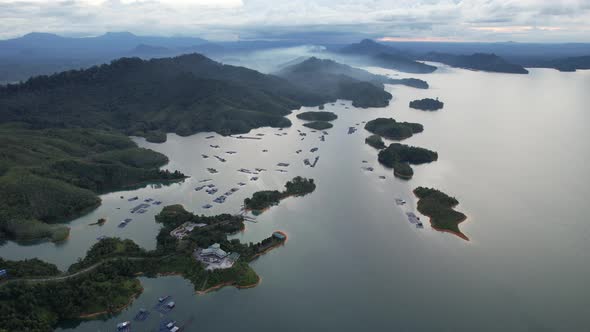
(49, 176)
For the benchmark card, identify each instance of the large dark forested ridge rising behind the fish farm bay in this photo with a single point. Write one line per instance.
(185, 95)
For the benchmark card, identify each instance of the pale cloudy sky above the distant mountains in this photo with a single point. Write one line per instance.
(336, 20)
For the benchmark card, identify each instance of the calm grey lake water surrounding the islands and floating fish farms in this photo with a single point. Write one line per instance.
(513, 149)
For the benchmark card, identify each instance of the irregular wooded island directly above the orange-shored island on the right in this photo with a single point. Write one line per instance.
(401, 156)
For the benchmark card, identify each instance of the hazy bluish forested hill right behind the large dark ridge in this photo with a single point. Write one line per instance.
(338, 81)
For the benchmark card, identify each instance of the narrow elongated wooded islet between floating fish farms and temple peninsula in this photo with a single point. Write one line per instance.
(262, 200)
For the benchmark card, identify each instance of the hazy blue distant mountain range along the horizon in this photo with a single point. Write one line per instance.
(44, 53)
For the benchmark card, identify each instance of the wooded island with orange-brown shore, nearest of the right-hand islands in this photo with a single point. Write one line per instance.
(440, 208)
